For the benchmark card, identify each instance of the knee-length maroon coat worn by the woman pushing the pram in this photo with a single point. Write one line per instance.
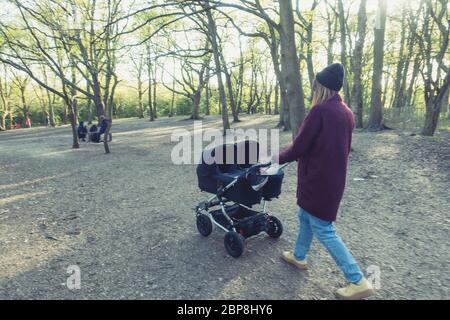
(321, 148)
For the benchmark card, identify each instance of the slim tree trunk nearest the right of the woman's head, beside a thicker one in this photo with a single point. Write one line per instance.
(357, 93)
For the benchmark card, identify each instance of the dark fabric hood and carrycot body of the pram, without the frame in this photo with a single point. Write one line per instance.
(222, 164)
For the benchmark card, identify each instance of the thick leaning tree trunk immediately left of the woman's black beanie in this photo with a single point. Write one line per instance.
(290, 67)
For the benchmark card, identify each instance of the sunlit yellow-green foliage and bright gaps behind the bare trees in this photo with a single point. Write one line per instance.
(183, 34)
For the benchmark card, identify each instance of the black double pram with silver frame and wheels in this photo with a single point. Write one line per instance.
(232, 173)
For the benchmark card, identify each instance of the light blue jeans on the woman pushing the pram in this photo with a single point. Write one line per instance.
(311, 226)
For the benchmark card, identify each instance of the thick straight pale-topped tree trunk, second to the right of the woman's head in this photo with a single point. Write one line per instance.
(376, 108)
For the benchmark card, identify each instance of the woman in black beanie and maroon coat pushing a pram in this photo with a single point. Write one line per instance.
(321, 149)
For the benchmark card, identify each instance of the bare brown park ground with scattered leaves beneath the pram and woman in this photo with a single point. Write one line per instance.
(126, 220)
